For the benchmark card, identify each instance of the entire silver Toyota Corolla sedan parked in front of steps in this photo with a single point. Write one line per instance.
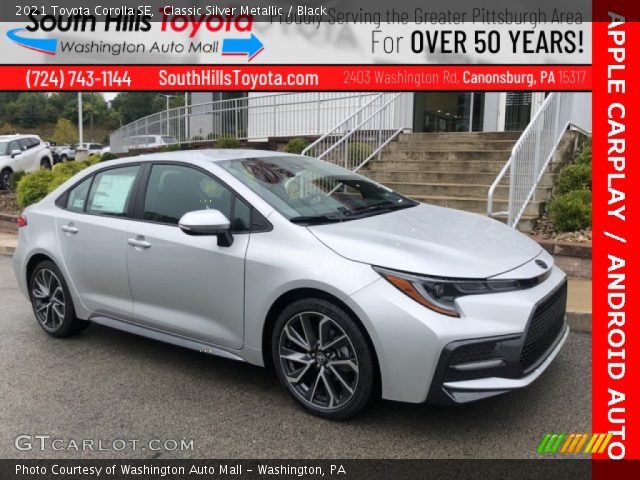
(342, 285)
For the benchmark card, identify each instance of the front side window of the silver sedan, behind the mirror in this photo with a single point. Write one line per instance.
(174, 190)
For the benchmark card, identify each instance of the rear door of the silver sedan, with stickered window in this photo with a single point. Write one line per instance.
(92, 233)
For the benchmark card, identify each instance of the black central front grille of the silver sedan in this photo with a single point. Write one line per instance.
(546, 325)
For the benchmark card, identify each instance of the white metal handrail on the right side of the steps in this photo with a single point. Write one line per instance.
(535, 148)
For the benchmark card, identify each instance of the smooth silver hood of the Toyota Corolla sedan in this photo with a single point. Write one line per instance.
(431, 240)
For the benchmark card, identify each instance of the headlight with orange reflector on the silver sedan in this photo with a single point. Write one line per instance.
(439, 294)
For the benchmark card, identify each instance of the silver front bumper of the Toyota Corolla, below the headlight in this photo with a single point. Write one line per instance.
(410, 340)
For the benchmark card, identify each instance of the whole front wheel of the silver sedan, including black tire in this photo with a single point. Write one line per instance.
(330, 376)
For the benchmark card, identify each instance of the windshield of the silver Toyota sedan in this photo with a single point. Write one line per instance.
(309, 191)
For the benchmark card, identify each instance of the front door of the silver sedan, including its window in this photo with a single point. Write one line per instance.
(181, 284)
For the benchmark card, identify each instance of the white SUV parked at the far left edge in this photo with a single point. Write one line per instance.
(22, 153)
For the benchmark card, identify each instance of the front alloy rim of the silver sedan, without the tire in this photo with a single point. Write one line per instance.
(318, 360)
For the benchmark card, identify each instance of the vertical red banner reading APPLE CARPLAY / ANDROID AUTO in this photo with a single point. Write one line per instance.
(616, 250)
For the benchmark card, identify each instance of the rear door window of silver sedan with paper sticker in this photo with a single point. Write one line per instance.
(111, 191)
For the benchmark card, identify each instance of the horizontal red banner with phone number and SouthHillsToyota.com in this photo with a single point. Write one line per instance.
(295, 77)
